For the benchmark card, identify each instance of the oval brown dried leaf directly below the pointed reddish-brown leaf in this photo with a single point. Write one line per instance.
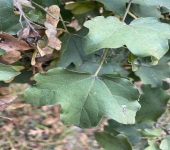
(10, 57)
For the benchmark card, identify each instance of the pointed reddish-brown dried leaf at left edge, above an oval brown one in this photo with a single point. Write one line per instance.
(9, 43)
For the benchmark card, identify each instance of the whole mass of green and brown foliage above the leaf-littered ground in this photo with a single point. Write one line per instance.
(91, 66)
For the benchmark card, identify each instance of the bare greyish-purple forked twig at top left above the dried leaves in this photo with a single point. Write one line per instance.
(22, 14)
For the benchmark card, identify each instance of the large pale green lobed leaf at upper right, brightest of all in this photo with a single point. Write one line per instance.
(150, 36)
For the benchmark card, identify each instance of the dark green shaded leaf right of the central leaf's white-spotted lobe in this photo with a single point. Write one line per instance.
(153, 102)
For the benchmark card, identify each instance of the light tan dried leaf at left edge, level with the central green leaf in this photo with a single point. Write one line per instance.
(6, 100)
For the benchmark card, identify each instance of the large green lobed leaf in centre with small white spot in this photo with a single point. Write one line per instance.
(85, 98)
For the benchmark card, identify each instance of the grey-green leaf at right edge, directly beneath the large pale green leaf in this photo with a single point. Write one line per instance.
(154, 74)
